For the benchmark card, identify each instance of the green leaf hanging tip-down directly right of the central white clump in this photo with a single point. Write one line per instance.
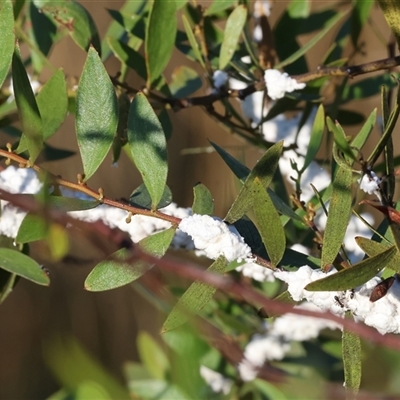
(268, 223)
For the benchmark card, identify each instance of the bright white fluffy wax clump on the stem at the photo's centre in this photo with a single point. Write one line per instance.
(215, 238)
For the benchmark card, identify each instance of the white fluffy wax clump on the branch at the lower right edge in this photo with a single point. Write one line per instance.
(383, 315)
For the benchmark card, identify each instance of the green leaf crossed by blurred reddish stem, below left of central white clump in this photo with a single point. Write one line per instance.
(115, 272)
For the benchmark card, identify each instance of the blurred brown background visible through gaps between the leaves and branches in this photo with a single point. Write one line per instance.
(107, 323)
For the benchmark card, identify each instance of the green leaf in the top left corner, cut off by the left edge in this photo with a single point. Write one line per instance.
(7, 38)
